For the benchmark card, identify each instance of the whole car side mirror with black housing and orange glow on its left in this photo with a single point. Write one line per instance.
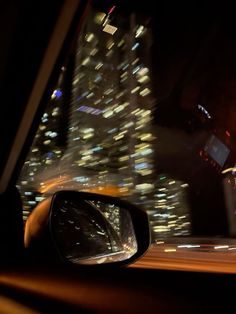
(86, 228)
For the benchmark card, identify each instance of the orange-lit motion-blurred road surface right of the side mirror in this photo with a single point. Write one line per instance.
(213, 257)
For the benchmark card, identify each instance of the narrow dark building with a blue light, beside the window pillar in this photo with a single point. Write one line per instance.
(47, 149)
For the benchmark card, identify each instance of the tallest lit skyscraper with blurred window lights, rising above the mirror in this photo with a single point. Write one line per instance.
(110, 121)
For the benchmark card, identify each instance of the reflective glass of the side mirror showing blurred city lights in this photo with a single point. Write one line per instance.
(91, 231)
